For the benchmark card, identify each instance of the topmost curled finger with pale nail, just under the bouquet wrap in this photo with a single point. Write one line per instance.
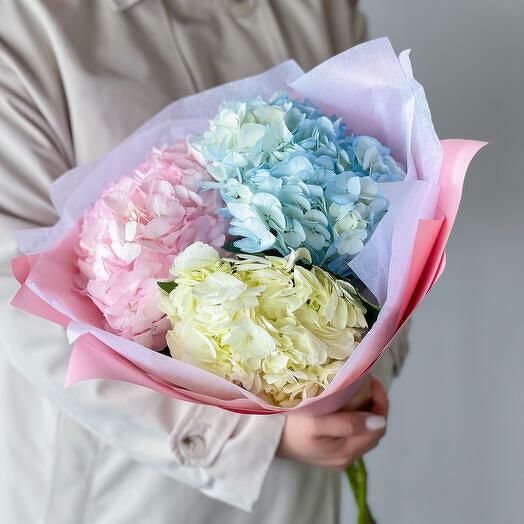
(348, 424)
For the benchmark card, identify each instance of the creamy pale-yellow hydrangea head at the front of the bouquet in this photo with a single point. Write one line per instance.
(276, 328)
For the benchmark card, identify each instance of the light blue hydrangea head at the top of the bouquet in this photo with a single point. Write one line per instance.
(292, 177)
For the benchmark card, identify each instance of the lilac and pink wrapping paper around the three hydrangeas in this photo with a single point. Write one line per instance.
(375, 93)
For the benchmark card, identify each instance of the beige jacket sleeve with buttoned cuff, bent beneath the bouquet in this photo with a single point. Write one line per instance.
(198, 445)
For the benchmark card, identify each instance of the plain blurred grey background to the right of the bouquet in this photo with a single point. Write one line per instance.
(453, 452)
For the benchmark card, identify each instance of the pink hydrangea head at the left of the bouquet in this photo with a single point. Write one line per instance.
(131, 235)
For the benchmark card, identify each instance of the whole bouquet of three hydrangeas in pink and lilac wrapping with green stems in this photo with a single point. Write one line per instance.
(257, 246)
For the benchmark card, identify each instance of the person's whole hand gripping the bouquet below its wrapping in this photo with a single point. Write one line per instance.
(338, 439)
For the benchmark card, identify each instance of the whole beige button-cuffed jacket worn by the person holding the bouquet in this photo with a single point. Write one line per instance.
(76, 77)
